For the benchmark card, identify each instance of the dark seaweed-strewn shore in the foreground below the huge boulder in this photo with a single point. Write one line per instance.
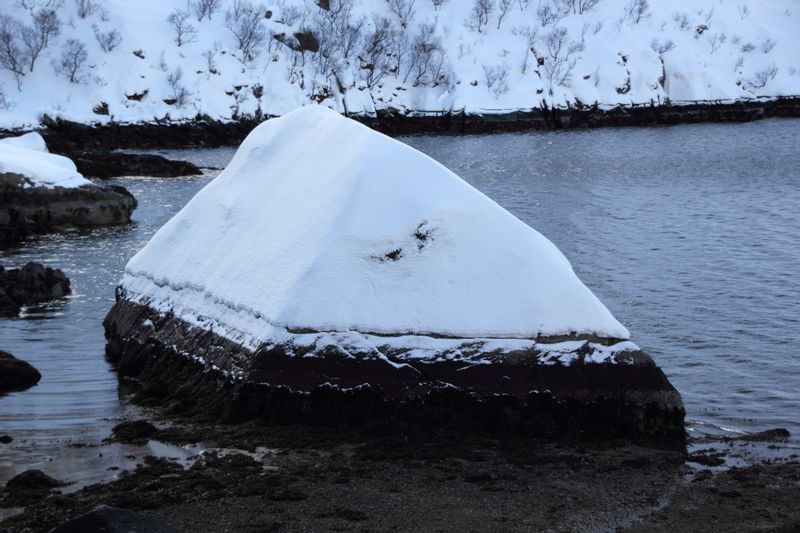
(288, 478)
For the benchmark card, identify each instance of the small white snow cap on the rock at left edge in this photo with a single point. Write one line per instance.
(27, 155)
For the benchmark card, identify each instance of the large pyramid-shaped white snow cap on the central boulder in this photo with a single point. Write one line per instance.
(320, 223)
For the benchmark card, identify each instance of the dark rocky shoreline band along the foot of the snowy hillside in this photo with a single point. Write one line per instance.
(70, 138)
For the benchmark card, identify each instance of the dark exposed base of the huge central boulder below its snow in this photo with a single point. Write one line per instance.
(188, 371)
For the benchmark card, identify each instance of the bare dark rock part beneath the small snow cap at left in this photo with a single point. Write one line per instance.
(27, 209)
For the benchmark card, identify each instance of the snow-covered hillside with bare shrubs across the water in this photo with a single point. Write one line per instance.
(97, 61)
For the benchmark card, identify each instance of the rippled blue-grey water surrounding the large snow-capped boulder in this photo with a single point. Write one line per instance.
(689, 234)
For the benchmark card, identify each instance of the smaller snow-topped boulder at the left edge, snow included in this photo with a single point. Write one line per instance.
(42, 192)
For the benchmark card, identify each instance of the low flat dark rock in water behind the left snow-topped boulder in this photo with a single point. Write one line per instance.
(110, 165)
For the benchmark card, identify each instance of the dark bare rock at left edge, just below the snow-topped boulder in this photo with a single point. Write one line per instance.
(31, 284)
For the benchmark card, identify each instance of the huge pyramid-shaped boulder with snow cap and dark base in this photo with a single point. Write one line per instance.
(332, 275)
